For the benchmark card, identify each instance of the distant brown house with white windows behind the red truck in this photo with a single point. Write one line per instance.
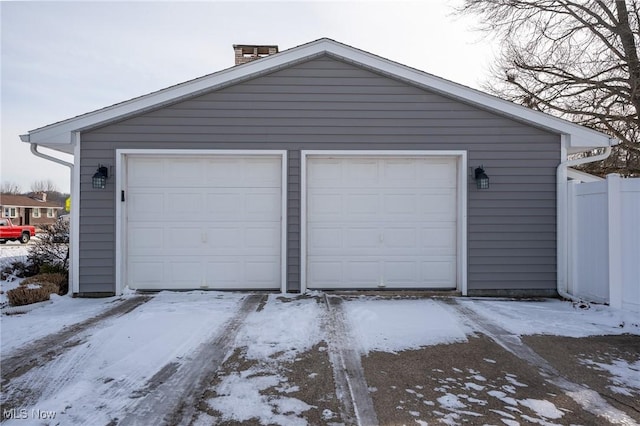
(24, 210)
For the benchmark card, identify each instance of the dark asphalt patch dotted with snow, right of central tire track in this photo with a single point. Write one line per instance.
(476, 382)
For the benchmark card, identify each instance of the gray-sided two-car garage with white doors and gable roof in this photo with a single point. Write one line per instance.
(319, 167)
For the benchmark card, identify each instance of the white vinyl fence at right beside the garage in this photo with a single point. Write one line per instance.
(604, 229)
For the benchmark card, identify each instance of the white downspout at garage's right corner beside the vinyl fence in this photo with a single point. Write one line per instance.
(563, 216)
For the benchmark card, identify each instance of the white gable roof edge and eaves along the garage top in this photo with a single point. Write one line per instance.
(61, 136)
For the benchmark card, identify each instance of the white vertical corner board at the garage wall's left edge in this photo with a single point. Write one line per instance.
(74, 241)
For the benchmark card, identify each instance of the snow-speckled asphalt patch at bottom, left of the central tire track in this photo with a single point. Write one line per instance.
(304, 384)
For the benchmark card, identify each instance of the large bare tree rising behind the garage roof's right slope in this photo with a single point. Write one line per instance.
(577, 59)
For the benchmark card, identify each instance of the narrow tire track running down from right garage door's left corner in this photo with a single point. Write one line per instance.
(351, 386)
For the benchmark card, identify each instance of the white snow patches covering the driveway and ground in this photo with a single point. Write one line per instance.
(102, 376)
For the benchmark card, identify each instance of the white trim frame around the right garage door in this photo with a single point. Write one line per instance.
(461, 243)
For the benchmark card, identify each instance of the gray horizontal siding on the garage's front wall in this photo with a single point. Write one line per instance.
(328, 104)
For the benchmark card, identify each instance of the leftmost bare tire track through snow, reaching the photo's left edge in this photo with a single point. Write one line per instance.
(50, 347)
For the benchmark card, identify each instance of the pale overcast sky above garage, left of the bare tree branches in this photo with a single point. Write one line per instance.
(62, 59)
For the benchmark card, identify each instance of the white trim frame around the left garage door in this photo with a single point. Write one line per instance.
(120, 185)
